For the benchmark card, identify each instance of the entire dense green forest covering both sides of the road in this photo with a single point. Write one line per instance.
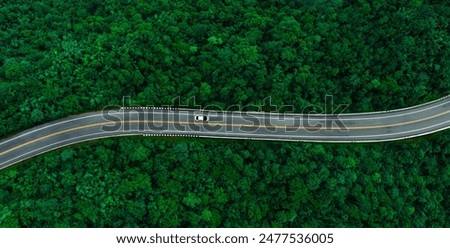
(59, 58)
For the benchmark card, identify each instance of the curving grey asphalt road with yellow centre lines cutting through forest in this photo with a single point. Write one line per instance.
(344, 128)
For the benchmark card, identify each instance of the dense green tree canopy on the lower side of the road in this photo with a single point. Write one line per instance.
(246, 184)
